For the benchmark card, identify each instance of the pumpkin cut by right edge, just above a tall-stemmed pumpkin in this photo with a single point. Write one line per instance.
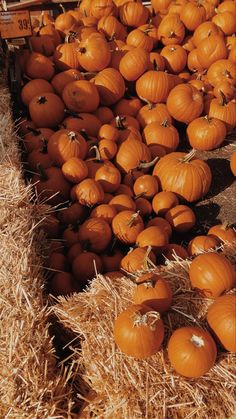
(221, 70)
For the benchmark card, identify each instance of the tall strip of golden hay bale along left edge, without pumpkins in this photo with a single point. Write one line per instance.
(31, 384)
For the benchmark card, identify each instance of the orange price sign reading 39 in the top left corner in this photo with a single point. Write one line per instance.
(15, 24)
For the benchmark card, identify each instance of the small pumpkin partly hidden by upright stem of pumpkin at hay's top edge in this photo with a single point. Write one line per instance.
(153, 236)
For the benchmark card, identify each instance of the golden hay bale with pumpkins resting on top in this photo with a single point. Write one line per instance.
(126, 388)
